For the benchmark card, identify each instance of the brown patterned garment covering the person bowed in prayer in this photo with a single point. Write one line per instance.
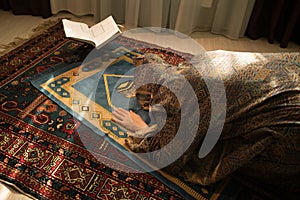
(260, 138)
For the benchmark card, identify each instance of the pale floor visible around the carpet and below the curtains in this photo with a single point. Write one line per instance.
(15, 29)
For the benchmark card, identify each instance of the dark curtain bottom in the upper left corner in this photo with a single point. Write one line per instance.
(27, 7)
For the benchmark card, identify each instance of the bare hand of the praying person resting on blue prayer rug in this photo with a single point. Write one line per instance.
(128, 119)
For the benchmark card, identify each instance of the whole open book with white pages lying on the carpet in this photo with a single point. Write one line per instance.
(97, 34)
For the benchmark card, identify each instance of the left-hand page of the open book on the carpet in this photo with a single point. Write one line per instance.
(77, 30)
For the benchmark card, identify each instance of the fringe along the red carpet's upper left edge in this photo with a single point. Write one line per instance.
(18, 41)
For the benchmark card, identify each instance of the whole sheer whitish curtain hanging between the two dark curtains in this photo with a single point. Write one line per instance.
(226, 17)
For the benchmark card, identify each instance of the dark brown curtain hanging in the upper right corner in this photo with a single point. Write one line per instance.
(278, 20)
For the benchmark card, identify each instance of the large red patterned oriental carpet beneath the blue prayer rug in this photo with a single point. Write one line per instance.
(41, 151)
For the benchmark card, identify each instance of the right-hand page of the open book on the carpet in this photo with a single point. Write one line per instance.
(104, 30)
